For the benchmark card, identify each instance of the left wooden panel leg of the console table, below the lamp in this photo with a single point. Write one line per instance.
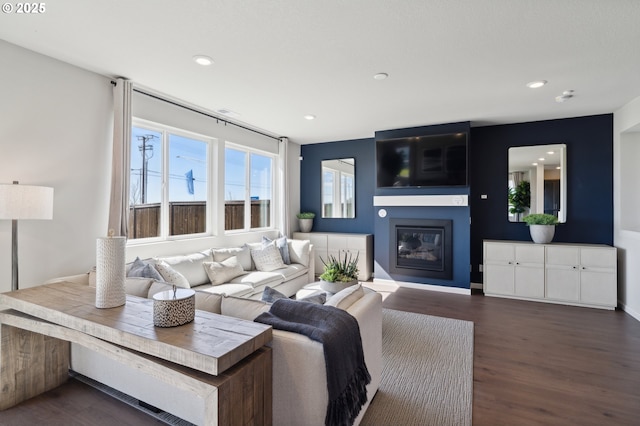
(30, 364)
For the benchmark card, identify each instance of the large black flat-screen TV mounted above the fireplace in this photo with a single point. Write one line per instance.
(422, 161)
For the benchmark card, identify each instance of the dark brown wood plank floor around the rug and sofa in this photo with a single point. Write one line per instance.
(534, 364)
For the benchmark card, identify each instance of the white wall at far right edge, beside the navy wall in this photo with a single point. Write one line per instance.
(626, 125)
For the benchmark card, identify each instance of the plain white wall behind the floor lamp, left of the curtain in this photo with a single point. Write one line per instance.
(55, 131)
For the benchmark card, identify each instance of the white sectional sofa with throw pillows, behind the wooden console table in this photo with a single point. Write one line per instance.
(300, 395)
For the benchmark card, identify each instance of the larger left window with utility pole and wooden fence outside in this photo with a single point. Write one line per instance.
(168, 183)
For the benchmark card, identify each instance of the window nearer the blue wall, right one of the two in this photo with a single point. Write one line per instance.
(248, 189)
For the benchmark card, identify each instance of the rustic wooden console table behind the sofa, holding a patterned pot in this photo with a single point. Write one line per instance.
(222, 360)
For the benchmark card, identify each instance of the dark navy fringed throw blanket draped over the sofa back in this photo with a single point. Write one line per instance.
(338, 331)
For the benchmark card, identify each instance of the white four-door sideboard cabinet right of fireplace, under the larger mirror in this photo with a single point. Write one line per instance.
(571, 274)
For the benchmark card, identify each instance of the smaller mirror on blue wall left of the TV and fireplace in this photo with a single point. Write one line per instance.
(339, 188)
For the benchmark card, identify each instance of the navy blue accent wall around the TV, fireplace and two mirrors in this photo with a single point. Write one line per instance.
(589, 143)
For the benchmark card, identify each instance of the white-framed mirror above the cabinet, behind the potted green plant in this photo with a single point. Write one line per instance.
(537, 181)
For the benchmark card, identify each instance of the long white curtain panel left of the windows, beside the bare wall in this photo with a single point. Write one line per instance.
(119, 203)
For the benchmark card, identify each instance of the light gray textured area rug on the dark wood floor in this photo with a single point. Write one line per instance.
(427, 373)
